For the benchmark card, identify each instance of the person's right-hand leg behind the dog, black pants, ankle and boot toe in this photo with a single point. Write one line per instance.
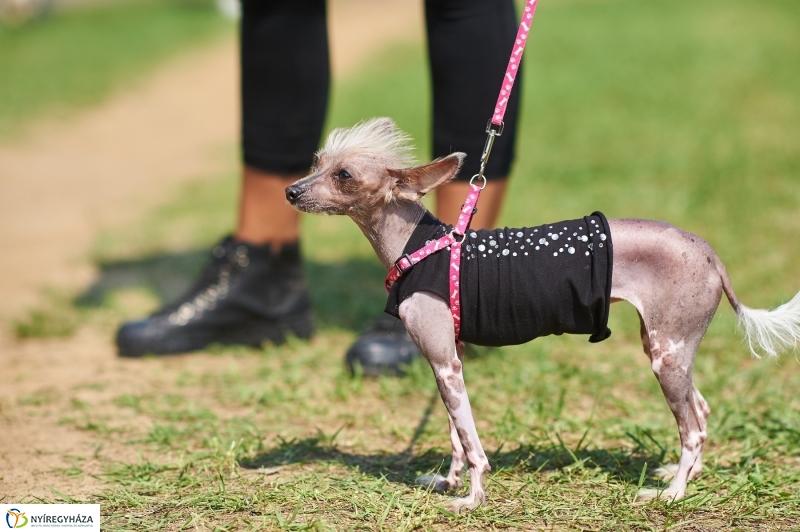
(469, 43)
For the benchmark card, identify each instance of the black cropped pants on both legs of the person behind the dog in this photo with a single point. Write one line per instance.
(286, 77)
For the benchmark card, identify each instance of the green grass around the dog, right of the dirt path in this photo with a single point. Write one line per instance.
(685, 111)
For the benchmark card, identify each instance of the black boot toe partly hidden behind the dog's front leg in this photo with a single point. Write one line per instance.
(383, 350)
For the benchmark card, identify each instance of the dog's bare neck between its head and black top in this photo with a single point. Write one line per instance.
(389, 228)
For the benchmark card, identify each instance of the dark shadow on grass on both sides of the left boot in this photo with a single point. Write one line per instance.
(345, 295)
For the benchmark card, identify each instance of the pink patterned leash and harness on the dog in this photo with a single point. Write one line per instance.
(453, 240)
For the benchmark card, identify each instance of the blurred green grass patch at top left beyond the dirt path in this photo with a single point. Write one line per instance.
(75, 57)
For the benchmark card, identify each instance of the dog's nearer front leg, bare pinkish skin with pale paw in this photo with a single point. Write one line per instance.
(429, 322)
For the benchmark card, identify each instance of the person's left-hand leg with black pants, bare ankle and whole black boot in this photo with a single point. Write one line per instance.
(254, 288)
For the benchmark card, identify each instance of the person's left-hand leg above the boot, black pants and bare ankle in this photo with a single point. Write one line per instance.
(285, 80)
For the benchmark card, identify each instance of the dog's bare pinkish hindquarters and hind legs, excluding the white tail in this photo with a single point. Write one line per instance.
(670, 276)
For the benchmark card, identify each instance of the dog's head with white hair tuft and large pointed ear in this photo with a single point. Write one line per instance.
(364, 167)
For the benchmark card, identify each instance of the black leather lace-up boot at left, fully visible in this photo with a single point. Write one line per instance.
(246, 295)
